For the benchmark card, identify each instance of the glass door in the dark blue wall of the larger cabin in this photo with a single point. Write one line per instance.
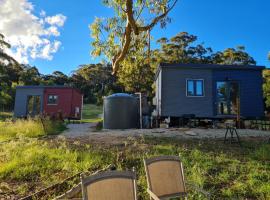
(228, 98)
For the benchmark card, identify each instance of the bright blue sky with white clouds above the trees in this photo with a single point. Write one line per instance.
(54, 34)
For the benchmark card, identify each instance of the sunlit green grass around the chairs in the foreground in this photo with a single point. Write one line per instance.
(228, 172)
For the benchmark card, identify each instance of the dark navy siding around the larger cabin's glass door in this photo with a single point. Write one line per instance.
(251, 95)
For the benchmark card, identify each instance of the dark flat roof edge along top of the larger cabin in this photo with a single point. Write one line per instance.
(208, 66)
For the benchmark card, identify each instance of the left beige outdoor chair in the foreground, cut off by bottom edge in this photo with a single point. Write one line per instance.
(110, 185)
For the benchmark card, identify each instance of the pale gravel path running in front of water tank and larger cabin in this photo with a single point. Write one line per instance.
(88, 130)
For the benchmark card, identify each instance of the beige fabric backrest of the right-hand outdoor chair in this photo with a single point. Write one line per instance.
(166, 178)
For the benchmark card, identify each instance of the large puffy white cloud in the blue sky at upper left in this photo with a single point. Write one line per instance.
(31, 36)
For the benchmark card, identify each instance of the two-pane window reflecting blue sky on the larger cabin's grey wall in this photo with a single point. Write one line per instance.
(195, 88)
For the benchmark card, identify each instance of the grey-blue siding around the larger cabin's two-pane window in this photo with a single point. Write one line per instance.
(175, 103)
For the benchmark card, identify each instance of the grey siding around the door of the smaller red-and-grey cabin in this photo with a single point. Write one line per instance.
(20, 109)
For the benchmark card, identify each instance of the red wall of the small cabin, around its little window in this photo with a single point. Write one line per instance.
(68, 99)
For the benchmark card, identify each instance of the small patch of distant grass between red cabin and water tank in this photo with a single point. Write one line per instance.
(91, 113)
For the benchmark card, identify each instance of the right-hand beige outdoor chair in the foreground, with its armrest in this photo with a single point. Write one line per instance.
(165, 178)
